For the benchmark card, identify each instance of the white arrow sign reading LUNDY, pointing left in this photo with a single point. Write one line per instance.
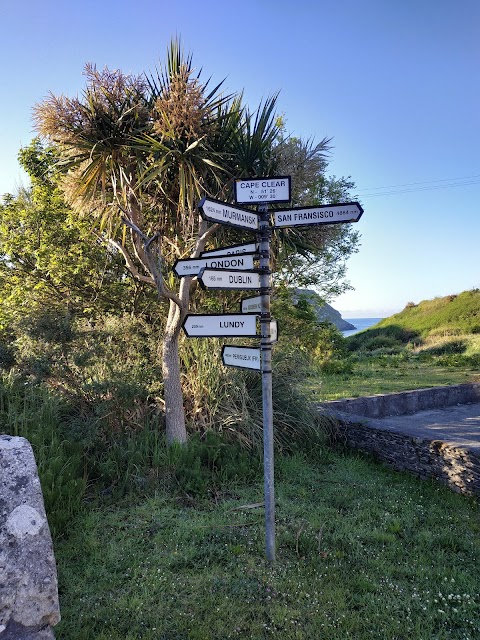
(227, 324)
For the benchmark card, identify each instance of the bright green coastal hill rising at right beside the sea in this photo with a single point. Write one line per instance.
(440, 319)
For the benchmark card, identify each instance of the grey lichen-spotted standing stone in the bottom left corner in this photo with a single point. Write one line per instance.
(28, 578)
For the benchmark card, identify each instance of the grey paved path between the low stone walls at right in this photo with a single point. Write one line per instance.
(458, 425)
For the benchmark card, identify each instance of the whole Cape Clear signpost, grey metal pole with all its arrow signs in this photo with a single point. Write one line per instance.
(233, 268)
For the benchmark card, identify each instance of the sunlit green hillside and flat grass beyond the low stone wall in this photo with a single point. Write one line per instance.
(436, 342)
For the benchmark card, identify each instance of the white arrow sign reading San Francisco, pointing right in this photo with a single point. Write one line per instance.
(320, 214)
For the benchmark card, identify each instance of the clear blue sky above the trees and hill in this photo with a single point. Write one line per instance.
(396, 84)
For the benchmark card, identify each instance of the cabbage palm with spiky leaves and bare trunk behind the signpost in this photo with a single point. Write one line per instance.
(140, 152)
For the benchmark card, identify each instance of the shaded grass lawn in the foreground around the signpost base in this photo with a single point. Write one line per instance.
(362, 552)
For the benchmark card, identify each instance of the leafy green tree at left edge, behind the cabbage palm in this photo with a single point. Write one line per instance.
(50, 259)
